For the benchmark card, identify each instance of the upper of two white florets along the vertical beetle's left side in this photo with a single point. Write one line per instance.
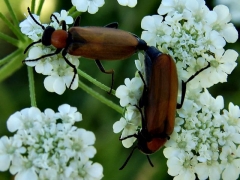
(131, 92)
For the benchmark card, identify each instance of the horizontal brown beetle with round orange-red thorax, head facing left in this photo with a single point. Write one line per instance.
(98, 43)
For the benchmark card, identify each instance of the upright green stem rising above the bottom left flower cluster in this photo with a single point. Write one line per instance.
(31, 87)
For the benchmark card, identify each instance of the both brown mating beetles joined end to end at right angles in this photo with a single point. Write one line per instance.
(159, 98)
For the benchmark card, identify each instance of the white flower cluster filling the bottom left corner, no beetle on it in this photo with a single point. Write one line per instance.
(47, 145)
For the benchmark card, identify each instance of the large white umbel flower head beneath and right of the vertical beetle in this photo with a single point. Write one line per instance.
(206, 138)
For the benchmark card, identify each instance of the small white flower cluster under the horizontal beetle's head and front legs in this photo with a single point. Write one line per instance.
(59, 73)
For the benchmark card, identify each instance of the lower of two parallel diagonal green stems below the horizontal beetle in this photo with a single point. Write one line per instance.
(100, 97)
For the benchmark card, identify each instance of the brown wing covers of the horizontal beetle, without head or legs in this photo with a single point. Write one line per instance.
(102, 43)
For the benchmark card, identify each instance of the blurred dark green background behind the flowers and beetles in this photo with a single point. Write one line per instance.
(99, 118)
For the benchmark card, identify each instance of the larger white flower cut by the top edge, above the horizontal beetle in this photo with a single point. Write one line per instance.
(88, 5)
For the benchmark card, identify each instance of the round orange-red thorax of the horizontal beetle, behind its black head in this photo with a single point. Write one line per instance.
(59, 38)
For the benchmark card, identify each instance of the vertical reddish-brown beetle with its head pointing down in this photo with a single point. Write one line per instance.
(159, 100)
